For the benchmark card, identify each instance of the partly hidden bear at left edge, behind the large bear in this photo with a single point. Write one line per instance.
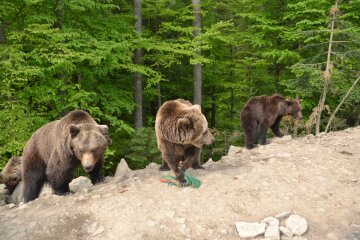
(11, 174)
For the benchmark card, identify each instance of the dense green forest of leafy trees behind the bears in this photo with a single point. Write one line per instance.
(120, 60)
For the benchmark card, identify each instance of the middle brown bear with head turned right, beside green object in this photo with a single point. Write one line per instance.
(181, 131)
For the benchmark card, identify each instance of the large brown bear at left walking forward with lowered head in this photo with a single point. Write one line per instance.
(55, 149)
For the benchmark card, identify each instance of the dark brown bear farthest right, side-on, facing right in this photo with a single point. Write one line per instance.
(262, 112)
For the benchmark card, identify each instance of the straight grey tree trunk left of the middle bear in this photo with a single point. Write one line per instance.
(138, 61)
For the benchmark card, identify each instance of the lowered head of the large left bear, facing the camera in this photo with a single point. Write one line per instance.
(88, 143)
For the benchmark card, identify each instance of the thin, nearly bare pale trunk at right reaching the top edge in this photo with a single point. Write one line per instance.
(328, 70)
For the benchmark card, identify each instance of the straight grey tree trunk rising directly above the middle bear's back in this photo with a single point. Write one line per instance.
(197, 67)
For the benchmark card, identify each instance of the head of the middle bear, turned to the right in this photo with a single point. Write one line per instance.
(194, 127)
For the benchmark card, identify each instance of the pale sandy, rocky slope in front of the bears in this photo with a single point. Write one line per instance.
(317, 178)
